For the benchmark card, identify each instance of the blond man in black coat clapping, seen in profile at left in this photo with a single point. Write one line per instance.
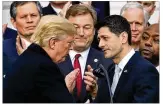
(35, 76)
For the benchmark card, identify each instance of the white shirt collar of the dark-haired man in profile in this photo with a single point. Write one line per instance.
(125, 60)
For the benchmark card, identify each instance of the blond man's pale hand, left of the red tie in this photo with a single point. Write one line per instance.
(70, 80)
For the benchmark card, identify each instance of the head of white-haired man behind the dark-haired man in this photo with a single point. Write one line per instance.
(138, 19)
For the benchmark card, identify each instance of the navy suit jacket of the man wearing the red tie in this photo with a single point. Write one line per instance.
(66, 67)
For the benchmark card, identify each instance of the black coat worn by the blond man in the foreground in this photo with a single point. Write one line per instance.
(35, 78)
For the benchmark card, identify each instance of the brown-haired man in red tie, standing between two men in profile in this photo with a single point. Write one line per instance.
(83, 18)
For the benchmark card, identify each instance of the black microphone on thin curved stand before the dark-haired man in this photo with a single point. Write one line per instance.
(101, 72)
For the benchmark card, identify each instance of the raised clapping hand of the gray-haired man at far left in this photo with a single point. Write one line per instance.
(20, 47)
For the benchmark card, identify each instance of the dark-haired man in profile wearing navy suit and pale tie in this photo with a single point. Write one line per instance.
(134, 79)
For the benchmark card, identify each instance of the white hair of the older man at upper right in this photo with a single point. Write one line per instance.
(135, 5)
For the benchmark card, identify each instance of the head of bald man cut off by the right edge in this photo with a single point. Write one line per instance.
(149, 44)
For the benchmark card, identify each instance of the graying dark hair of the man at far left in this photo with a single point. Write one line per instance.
(15, 4)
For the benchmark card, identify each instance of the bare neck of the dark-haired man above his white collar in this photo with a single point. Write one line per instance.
(122, 54)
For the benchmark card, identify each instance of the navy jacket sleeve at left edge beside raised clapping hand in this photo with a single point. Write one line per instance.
(9, 49)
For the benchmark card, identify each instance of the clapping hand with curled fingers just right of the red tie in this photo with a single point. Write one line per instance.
(91, 82)
